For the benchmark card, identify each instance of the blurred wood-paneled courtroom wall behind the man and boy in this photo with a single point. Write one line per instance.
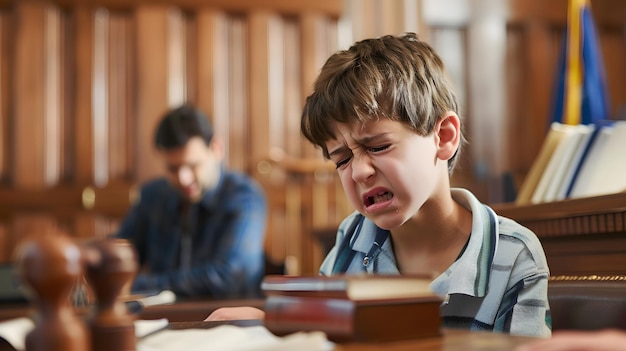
(83, 82)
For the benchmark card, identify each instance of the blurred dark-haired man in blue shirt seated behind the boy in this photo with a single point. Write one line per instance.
(200, 230)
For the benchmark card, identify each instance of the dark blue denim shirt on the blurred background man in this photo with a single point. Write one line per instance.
(227, 239)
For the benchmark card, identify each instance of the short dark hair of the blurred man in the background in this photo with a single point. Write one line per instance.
(181, 124)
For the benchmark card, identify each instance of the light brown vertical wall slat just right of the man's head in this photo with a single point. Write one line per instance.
(238, 94)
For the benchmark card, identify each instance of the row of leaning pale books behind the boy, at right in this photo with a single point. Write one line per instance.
(577, 161)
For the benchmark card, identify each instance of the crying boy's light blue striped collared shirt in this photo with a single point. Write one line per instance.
(498, 283)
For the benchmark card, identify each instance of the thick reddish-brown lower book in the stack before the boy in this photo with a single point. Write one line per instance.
(345, 320)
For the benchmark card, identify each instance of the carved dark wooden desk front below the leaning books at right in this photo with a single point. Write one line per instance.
(581, 237)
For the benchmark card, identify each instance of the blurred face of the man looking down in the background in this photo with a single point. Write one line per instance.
(194, 168)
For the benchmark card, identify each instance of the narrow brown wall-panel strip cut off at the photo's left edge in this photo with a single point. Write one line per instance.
(6, 55)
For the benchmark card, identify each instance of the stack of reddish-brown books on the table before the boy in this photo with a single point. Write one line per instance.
(353, 308)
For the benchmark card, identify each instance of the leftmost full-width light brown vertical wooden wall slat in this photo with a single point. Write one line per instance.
(29, 123)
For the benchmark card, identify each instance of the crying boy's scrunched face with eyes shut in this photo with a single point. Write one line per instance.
(387, 170)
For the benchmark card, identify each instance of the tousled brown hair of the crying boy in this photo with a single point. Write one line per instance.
(396, 77)
